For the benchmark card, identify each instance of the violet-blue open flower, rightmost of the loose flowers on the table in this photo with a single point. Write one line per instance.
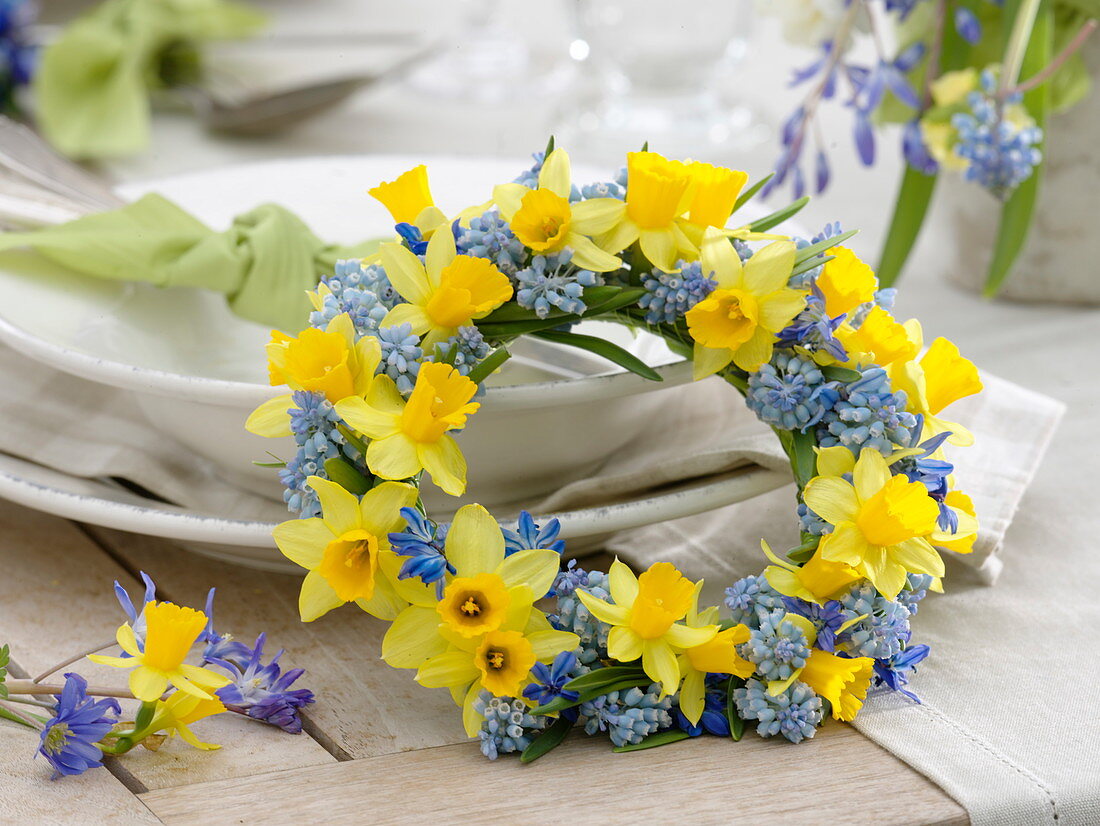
(263, 692)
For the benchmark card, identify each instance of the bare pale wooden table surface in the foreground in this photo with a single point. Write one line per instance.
(378, 747)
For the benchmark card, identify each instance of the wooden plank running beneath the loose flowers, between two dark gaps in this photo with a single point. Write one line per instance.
(57, 599)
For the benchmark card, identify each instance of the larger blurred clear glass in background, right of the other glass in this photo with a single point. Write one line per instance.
(662, 74)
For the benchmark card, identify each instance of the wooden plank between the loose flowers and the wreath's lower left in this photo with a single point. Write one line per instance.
(365, 709)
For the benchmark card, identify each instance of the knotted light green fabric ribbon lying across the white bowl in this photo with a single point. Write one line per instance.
(265, 263)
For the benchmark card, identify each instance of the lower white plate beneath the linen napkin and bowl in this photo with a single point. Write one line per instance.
(103, 503)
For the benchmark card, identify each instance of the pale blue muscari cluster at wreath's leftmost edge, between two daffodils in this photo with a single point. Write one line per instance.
(314, 426)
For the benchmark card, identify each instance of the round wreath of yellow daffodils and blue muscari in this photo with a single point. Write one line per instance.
(395, 355)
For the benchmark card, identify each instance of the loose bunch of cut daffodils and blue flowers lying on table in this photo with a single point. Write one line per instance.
(181, 673)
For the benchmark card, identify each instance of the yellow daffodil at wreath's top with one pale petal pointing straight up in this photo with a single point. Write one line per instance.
(546, 223)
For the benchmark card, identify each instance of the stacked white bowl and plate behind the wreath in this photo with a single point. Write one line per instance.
(551, 417)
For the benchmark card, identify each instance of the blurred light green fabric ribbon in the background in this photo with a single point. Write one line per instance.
(93, 85)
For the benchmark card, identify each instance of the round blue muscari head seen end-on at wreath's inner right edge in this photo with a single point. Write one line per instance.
(790, 393)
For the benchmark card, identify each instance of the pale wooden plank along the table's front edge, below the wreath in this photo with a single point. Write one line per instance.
(838, 778)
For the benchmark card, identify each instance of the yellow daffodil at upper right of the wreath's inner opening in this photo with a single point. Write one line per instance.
(739, 322)
